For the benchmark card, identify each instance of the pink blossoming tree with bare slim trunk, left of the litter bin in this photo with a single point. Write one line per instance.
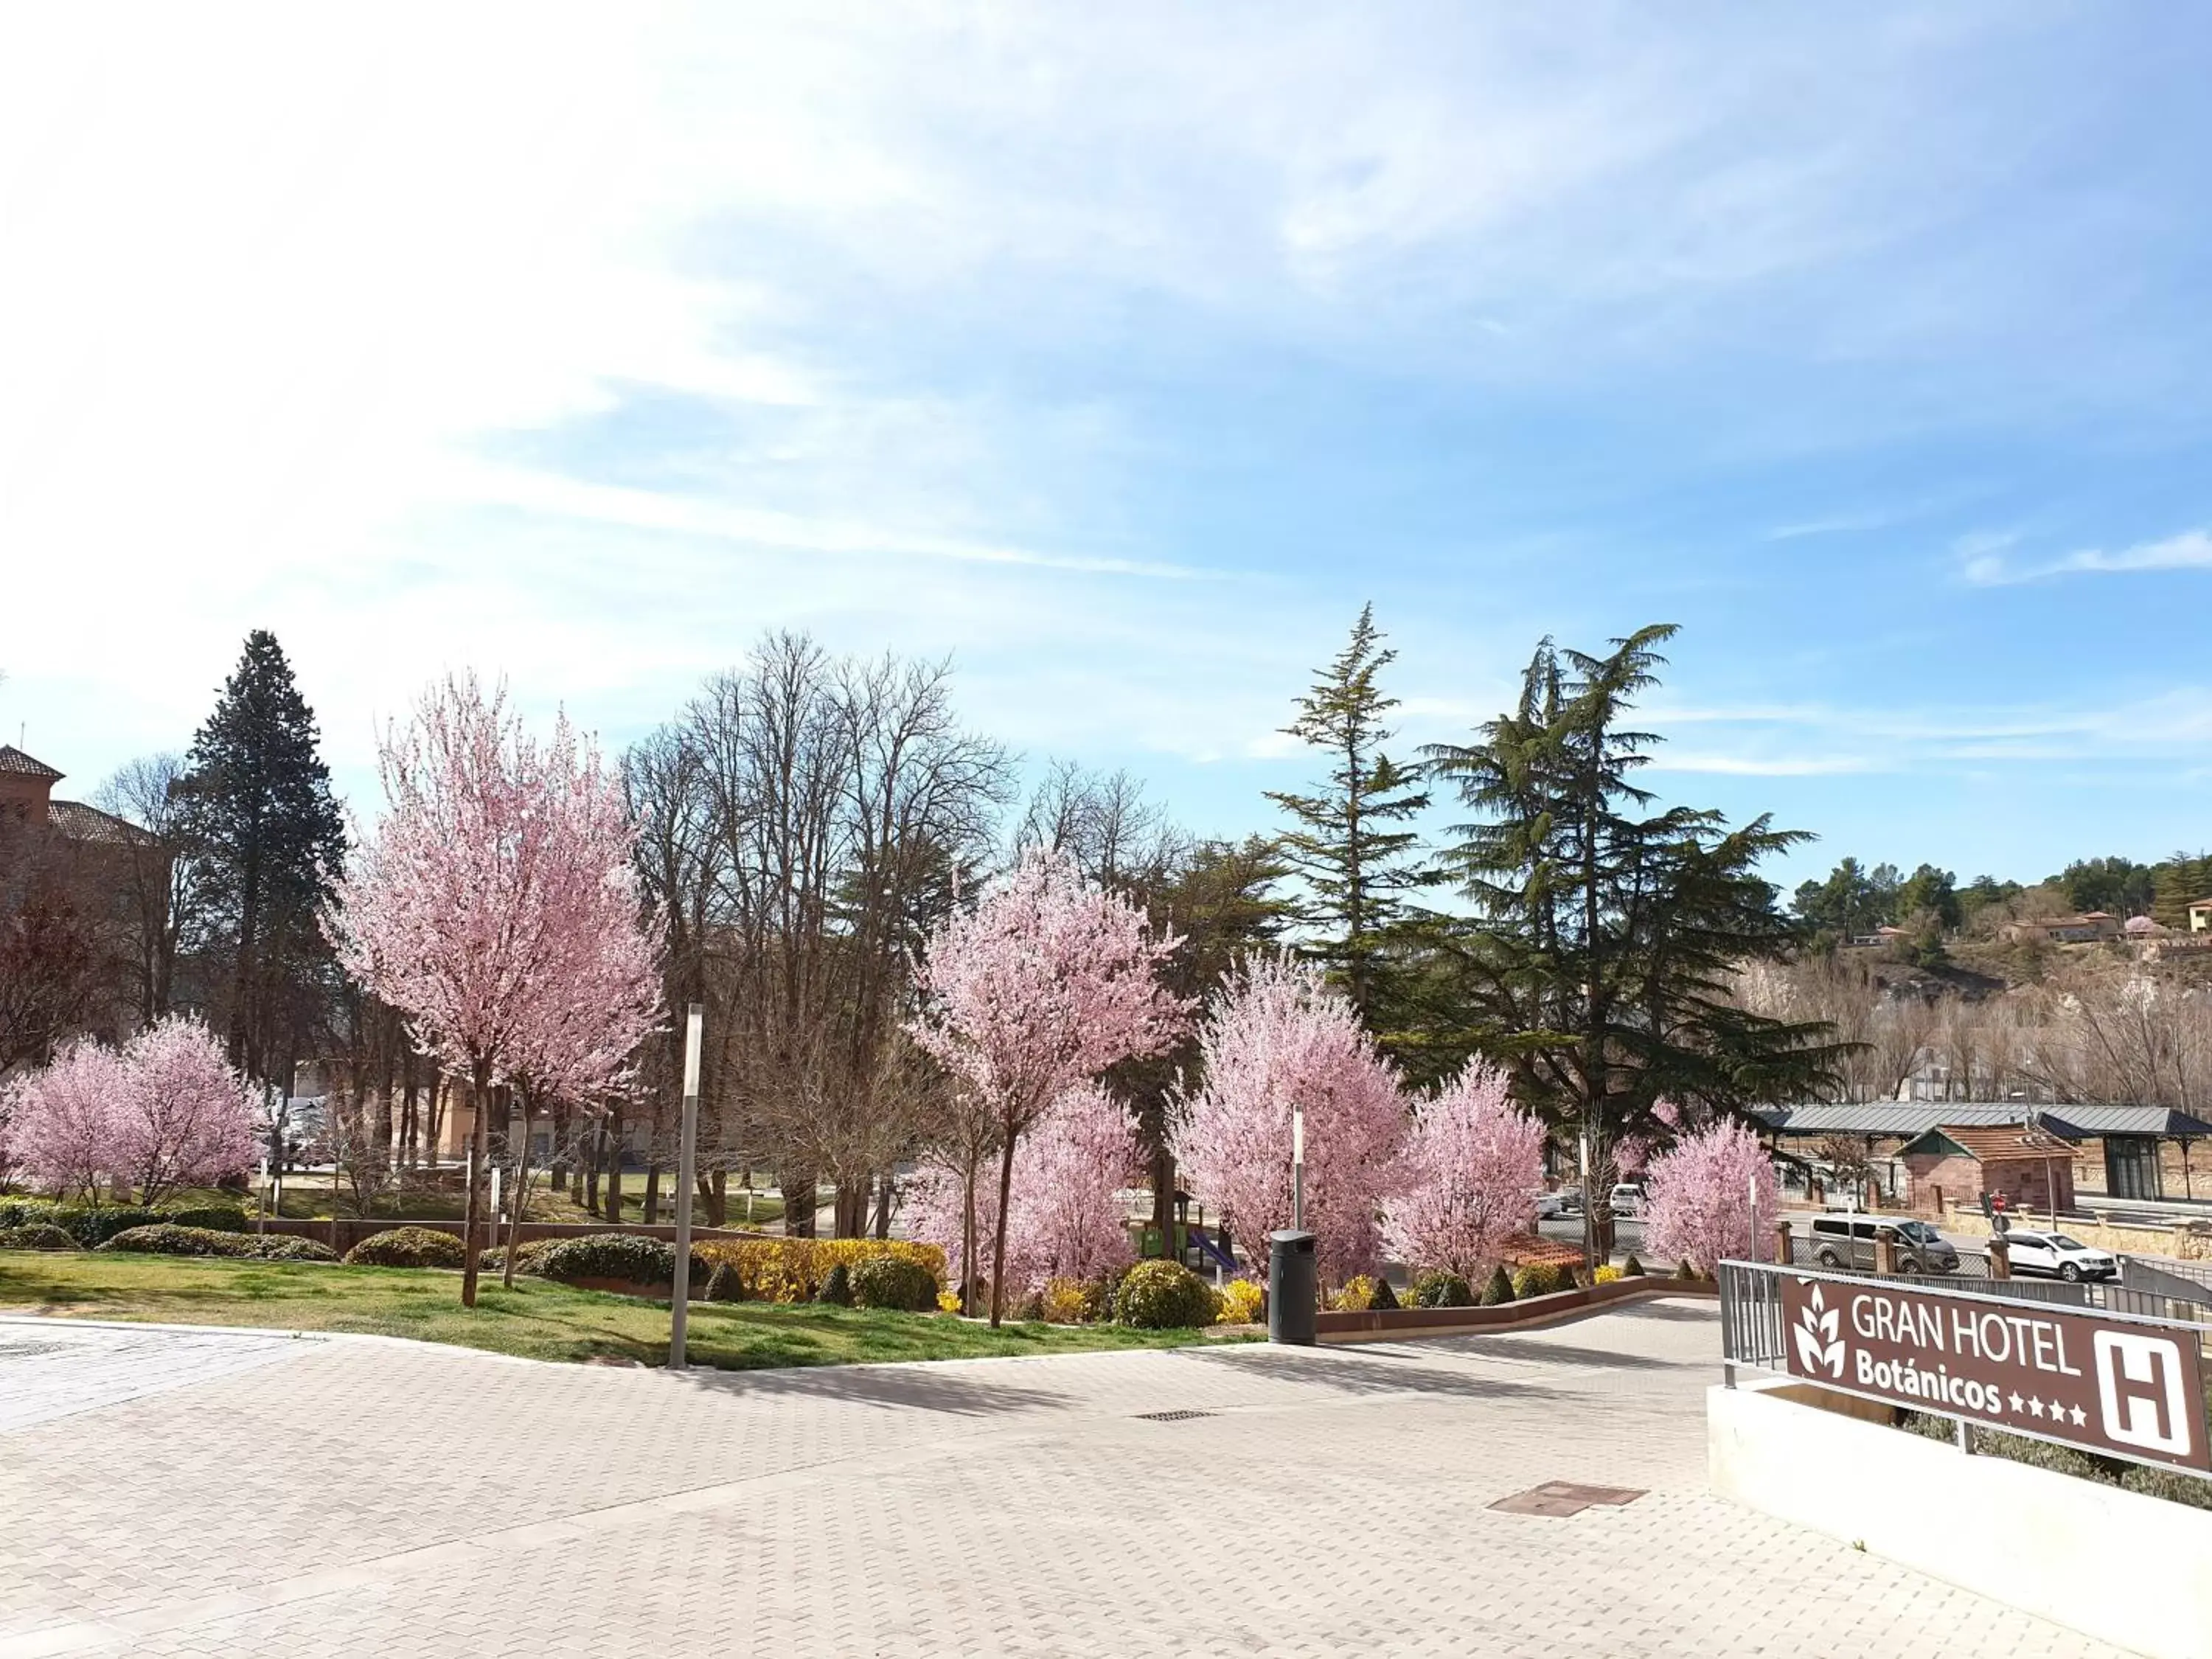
(1047, 983)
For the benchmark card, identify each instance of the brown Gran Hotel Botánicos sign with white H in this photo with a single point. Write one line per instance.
(2133, 1390)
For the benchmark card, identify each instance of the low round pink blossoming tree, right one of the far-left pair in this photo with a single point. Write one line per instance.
(185, 1116)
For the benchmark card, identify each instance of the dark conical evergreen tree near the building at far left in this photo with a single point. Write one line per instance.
(264, 828)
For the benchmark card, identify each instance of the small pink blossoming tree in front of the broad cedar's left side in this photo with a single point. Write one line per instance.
(1472, 1171)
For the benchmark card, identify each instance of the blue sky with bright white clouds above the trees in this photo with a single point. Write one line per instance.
(1125, 359)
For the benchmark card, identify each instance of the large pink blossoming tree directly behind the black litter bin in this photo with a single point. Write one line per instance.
(1280, 1039)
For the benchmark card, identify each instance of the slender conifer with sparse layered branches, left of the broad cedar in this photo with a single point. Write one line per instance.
(1350, 848)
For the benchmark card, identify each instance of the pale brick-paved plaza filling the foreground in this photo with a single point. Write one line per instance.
(198, 1494)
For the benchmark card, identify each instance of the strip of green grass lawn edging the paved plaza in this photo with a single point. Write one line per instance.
(536, 1319)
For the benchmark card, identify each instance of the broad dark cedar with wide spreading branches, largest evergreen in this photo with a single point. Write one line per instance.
(1607, 928)
